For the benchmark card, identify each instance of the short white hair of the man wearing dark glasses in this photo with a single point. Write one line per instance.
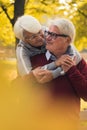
(65, 26)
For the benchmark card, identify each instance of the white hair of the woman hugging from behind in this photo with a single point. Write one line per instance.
(27, 23)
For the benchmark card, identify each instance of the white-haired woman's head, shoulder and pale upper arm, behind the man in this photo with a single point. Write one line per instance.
(28, 30)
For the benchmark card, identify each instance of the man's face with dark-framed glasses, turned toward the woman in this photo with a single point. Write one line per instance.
(57, 43)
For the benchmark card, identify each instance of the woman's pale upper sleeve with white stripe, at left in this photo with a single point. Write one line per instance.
(23, 61)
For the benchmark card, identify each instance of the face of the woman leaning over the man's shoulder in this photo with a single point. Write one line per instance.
(35, 40)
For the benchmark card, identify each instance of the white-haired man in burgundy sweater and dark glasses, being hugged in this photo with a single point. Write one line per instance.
(60, 97)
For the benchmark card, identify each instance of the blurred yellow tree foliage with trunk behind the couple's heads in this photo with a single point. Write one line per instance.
(75, 10)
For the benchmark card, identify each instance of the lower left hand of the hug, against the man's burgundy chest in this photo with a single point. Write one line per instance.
(42, 76)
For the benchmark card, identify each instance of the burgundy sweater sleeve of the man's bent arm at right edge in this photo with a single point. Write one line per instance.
(78, 77)
